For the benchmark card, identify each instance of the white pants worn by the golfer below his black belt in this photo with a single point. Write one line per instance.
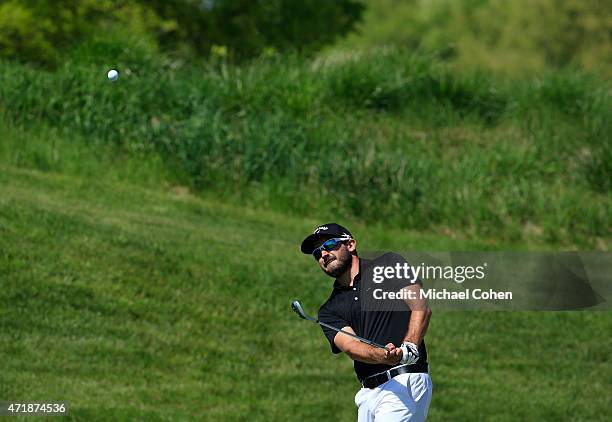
(403, 398)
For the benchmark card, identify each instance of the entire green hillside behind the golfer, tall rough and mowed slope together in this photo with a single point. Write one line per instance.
(149, 231)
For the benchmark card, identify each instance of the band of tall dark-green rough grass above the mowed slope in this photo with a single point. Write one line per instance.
(385, 136)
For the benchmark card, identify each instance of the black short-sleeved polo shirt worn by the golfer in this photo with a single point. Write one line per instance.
(388, 325)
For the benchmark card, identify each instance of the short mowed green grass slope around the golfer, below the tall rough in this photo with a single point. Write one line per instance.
(134, 302)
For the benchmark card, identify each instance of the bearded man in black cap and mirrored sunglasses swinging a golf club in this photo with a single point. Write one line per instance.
(395, 382)
